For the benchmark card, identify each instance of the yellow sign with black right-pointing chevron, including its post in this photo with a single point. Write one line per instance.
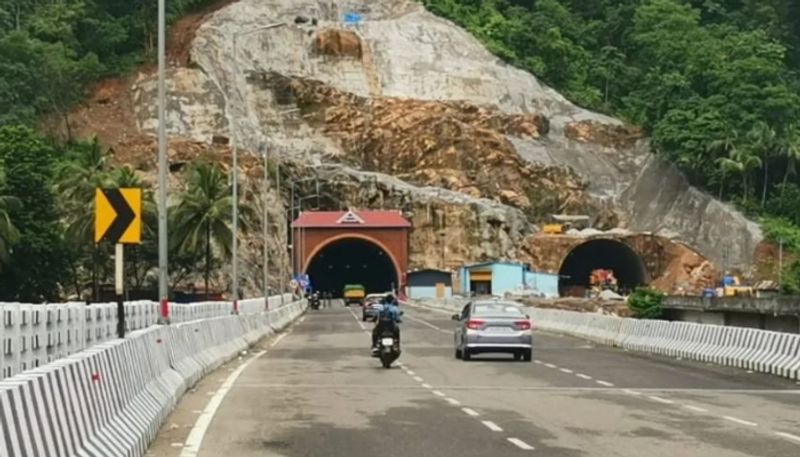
(118, 219)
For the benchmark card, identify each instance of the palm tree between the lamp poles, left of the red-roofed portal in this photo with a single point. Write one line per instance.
(202, 218)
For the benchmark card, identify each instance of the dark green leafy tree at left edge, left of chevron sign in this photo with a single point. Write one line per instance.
(37, 266)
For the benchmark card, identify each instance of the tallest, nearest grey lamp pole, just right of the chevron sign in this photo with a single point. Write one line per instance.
(163, 292)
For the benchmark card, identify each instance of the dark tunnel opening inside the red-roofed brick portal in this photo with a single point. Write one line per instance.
(352, 261)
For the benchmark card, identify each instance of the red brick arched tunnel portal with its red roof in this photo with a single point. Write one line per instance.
(314, 232)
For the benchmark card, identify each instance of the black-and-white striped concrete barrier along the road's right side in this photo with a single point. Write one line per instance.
(752, 349)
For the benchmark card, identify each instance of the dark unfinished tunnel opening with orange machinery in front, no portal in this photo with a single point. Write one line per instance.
(627, 265)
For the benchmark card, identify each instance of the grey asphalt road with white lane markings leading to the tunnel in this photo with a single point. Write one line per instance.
(318, 393)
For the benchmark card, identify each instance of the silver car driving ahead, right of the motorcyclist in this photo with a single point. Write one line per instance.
(493, 326)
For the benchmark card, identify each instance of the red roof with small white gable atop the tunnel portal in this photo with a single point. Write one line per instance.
(355, 219)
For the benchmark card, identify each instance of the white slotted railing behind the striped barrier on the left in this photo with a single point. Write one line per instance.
(34, 335)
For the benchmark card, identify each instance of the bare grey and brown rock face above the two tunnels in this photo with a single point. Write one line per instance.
(394, 84)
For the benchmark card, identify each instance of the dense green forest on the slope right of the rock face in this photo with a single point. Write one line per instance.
(714, 82)
